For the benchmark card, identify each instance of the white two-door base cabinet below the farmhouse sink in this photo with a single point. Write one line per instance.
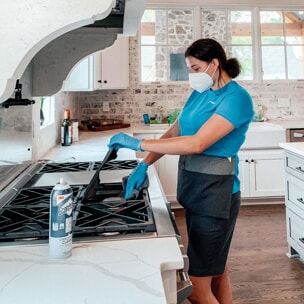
(261, 173)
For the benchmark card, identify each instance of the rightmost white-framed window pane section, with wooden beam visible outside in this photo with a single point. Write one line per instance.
(282, 44)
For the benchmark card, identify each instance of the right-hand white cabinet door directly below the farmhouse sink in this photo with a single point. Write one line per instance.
(267, 176)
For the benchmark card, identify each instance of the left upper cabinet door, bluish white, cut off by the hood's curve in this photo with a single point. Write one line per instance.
(80, 77)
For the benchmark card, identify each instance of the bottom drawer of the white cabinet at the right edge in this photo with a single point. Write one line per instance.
(295, 231)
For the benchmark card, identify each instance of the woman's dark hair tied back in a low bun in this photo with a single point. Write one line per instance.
(207, 49)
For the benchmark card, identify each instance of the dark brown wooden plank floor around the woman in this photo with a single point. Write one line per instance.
(260, 271)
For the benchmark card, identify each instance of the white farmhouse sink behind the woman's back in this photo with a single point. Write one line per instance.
(264, 135)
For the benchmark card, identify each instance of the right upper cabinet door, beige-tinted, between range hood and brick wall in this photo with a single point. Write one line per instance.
(112, 66)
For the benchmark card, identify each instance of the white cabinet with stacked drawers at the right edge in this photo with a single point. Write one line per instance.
(294, 201)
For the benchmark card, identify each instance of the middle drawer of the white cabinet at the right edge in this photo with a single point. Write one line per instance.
(295, 192)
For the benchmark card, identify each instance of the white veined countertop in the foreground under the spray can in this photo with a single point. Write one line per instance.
(100, 272)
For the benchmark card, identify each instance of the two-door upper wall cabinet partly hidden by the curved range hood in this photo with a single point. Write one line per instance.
(107, 69)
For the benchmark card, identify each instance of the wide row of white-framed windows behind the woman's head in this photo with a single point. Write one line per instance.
(268, 43)
